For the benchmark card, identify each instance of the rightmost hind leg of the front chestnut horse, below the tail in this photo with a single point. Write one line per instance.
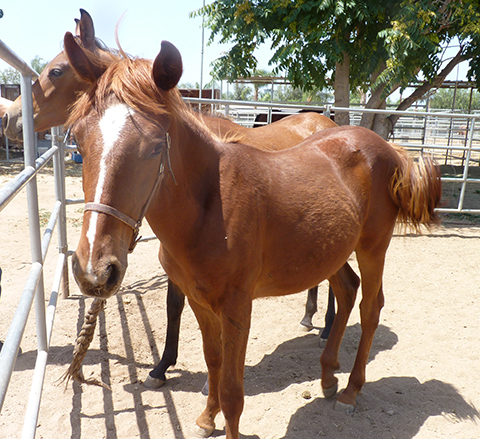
(371, 269)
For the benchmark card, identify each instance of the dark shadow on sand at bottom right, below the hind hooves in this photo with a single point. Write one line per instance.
(390, 407)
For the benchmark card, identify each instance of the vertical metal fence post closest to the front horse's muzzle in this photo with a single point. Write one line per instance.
(59, 174)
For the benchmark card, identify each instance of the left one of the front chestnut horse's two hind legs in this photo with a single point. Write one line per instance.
(345, 284)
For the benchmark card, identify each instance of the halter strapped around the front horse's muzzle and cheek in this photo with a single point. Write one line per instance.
(135, 225)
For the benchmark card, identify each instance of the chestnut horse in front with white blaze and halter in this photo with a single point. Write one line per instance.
(237, 223)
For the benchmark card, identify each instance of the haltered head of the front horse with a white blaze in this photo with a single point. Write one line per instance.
(121, 128)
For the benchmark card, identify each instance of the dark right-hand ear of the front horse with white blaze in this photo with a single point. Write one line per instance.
(167, 67)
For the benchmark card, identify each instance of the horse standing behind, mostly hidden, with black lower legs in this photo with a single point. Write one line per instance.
(56, 90)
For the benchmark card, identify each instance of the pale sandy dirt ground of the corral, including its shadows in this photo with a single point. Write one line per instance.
(422, 376)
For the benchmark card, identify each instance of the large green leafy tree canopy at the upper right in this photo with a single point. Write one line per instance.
(377, 45)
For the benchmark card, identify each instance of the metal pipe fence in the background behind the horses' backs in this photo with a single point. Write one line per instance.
(428, 132)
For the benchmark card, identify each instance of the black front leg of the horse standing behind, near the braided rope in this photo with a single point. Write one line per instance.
(175, 304)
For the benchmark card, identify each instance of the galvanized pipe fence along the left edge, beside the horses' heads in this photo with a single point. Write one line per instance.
(34, 290)
